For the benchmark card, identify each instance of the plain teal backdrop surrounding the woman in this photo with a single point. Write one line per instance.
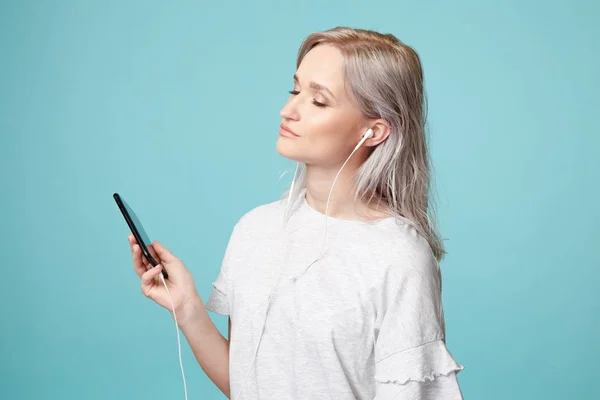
(175, 105)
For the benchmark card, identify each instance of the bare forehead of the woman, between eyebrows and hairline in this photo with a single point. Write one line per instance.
(323, 64)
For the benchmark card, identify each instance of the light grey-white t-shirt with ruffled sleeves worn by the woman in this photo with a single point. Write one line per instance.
(363, 322)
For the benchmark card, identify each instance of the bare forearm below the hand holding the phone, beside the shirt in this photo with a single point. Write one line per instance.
(210, 348)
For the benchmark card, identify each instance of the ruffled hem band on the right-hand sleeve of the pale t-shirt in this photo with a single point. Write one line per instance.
(421, 363)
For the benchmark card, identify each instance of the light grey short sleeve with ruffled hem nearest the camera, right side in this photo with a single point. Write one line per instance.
(410, 349)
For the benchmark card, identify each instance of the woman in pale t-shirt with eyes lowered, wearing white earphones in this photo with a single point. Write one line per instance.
(344, 307)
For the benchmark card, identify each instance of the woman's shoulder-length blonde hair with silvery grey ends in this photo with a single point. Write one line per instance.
(386, 78)
